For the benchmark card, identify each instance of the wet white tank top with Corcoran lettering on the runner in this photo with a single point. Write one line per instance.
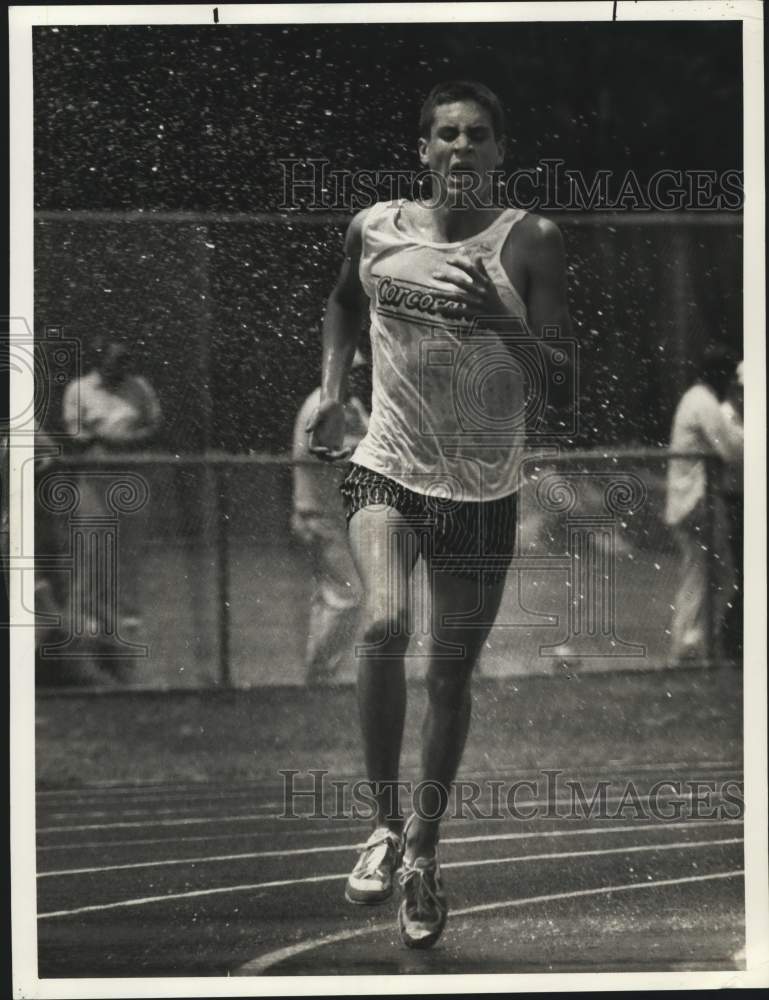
(448, 401)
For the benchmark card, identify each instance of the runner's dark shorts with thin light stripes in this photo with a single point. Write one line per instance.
(463, 538)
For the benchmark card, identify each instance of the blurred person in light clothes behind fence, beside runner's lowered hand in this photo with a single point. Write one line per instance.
(318, 522)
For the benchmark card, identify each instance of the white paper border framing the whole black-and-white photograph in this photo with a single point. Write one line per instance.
(749, 12)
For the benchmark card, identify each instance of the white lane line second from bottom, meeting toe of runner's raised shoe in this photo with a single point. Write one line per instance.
(311, 879)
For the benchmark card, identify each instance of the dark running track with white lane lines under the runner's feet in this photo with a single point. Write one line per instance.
(208, 879)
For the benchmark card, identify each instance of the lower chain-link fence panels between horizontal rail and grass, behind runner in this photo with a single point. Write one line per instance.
(156, 571)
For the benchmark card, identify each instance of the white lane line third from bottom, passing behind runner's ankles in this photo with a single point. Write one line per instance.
(299, 851)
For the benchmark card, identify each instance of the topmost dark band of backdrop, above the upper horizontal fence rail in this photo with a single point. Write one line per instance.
(197, 117)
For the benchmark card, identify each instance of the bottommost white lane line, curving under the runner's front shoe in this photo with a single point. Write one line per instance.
(257, 966)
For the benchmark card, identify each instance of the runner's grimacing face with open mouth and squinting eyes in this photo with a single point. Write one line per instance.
(462, 148)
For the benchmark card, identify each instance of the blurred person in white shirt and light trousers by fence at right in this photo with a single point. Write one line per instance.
(696, 511)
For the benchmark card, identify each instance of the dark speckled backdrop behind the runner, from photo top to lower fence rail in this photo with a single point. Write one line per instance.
(224, 315)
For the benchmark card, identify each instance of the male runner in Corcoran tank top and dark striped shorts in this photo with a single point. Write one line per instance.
(437, 473)
